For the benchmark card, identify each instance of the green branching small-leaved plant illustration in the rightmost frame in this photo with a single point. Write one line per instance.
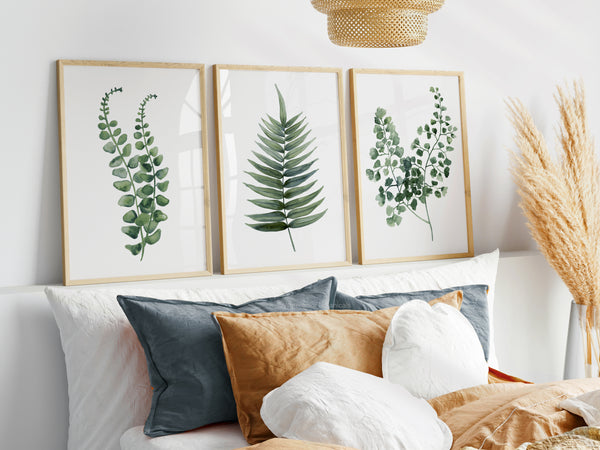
(410, 178)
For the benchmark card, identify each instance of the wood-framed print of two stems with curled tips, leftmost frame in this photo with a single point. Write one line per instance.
(134, 171)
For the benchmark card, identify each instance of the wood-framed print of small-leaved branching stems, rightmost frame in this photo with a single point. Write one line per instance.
(411, 165)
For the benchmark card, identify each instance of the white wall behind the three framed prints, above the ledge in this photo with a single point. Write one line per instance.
(506, 48)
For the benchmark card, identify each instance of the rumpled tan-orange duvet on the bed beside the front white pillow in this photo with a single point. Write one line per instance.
(494, 416)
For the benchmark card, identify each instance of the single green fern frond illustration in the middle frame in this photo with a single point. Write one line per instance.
(284, 175)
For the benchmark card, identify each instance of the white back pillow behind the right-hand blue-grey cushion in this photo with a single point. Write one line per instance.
(478, 270)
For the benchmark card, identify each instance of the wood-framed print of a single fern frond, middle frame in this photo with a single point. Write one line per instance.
(281, 154)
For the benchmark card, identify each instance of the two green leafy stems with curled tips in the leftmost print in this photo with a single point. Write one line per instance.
(141, 177)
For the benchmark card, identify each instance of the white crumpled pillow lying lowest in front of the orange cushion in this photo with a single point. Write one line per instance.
(331, 404)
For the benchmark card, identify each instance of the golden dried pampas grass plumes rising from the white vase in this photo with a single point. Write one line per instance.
(561, 200)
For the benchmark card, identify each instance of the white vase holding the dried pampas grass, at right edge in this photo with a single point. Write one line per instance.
(583, 341)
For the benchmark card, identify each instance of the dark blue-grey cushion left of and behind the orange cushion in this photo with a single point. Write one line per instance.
(184, 352)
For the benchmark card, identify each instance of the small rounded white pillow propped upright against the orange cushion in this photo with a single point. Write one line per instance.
(432, 350)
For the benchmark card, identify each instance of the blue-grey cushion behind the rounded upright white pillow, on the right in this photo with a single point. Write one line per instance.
(474, 307)
